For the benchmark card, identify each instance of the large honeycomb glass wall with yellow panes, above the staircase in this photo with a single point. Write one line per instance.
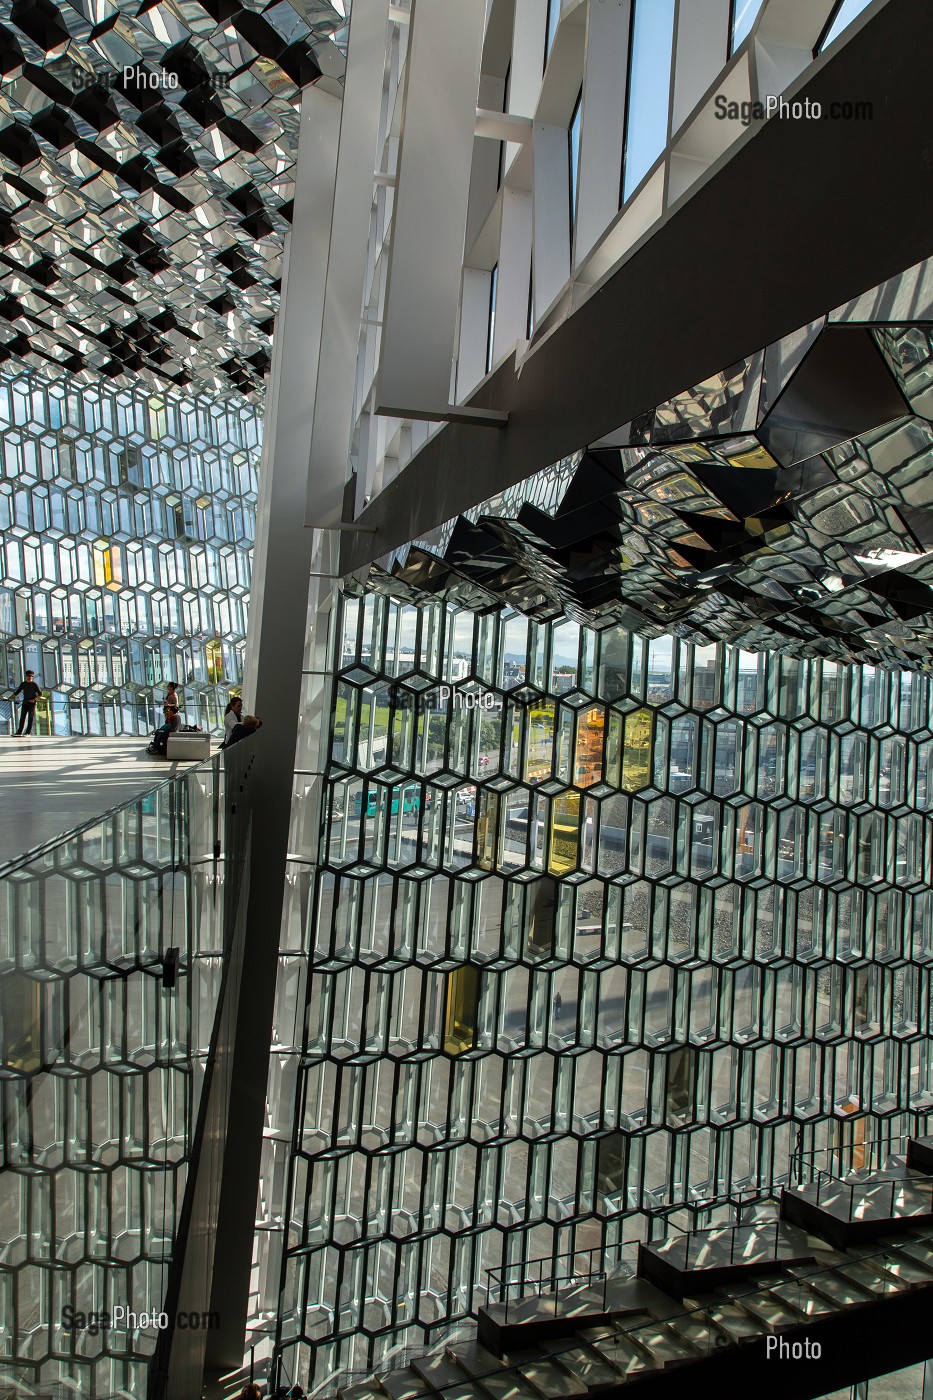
(609, 934)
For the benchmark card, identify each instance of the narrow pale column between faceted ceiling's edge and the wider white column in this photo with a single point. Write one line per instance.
(347, 262)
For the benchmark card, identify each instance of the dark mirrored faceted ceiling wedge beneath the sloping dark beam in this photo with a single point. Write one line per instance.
(785, 505)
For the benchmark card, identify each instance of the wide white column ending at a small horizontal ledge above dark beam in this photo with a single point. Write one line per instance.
(431, 208)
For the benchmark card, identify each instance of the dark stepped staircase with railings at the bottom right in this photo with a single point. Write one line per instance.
(837, 1258)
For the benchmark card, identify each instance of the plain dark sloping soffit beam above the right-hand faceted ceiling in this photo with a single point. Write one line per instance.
(803, 218)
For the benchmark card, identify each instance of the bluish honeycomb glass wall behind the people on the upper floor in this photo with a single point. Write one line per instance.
(127, 521)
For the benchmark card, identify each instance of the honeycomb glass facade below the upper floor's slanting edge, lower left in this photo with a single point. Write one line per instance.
(111, 967)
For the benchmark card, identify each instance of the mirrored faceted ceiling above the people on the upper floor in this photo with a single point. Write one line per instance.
(146, 181)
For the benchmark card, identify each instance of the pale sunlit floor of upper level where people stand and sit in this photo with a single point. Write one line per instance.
(50, 786)
